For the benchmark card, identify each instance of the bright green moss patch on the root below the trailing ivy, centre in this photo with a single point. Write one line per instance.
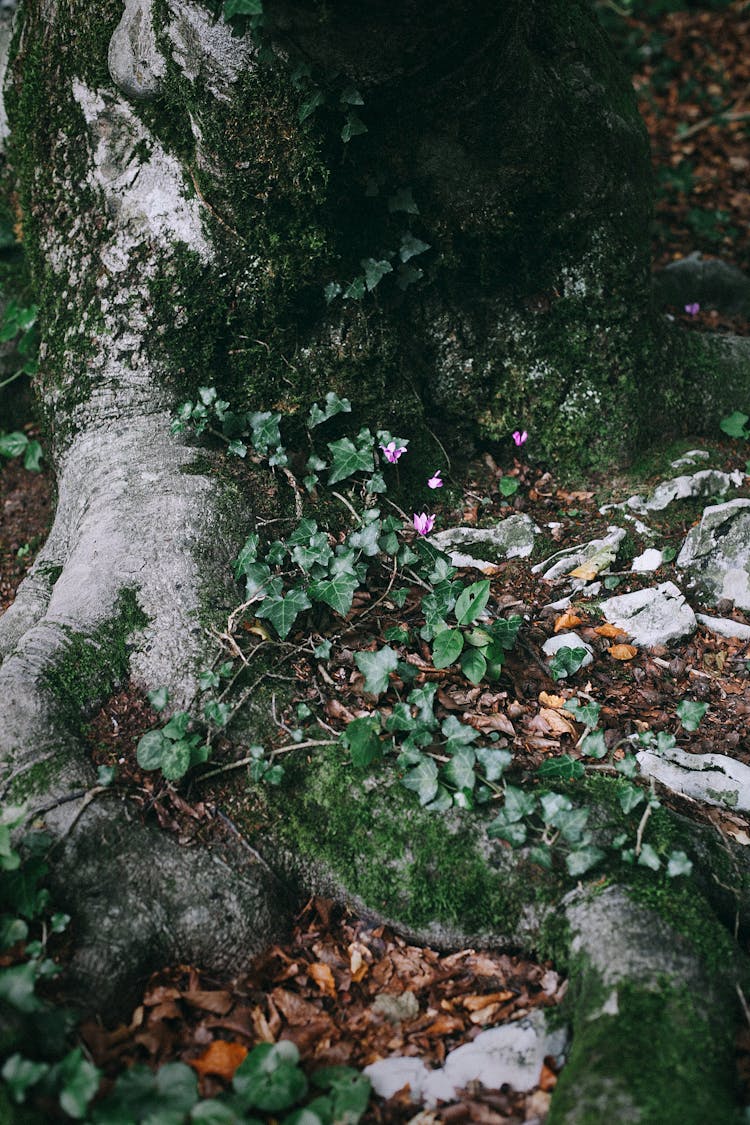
(406, 863)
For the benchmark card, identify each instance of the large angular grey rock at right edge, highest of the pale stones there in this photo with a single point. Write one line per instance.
(717, 554)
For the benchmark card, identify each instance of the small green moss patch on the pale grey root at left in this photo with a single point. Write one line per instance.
(93, 667)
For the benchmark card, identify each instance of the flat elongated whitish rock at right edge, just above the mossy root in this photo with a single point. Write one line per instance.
(710, 778)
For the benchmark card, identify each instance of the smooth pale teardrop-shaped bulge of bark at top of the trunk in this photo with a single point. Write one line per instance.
(137, 67)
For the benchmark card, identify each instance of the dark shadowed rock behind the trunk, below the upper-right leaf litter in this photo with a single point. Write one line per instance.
(712, 283)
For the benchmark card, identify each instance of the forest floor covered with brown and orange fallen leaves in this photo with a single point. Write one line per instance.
(692, 74)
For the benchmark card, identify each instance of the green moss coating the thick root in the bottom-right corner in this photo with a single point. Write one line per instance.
(661, 1051)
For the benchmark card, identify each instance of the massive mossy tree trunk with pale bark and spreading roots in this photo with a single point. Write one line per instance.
(187, 196)
